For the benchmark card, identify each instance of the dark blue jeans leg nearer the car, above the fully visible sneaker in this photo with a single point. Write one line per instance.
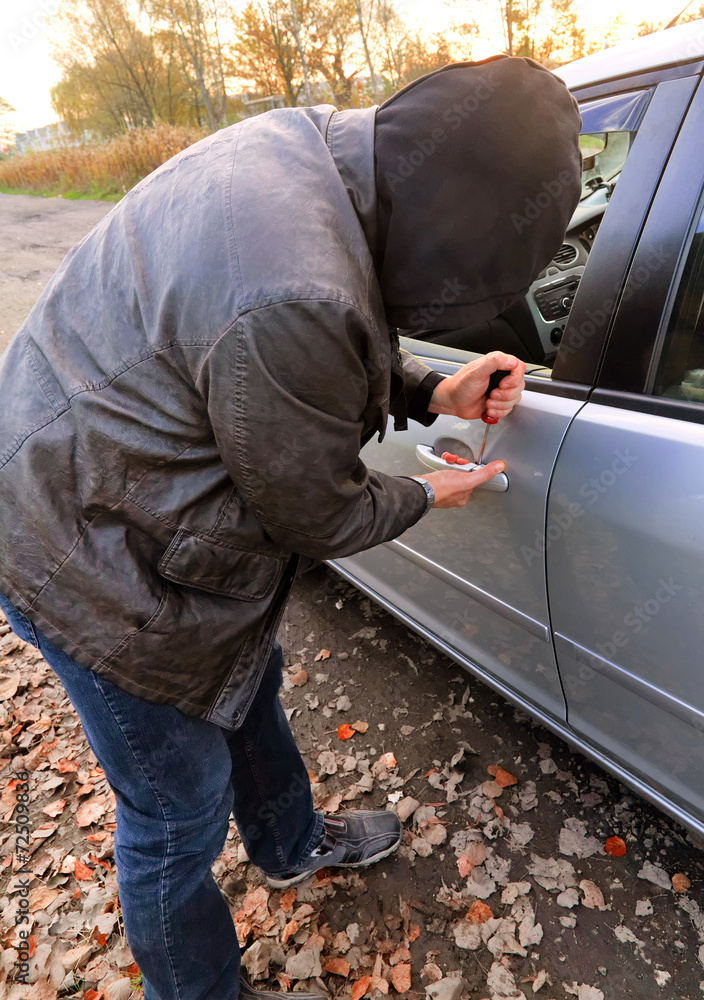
(273, 805)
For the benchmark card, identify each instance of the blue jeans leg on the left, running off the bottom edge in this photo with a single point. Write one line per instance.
(171, 777)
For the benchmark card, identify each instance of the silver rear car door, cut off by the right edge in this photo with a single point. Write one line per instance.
(626, 578)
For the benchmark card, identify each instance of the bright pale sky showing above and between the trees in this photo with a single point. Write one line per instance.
(27, 70)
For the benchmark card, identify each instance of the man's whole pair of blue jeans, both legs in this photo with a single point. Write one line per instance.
(176, 779)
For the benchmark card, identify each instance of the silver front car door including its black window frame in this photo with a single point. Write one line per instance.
(473, 580)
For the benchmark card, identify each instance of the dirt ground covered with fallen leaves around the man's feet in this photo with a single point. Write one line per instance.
(503, 886)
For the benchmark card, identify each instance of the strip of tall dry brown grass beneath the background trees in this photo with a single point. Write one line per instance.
(105, 170)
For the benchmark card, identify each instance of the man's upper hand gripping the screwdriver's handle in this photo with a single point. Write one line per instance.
(464, 394)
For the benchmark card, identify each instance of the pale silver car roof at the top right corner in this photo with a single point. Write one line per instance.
(670, 47)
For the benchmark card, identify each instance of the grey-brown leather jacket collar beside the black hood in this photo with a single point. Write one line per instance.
(350, 139)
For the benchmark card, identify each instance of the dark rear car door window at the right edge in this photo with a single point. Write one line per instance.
(680, 372)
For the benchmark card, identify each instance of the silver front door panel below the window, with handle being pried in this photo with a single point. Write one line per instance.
(476, 576)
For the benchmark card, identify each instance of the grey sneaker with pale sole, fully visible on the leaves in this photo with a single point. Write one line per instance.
(351, 840)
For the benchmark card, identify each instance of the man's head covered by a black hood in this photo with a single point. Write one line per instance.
(478, 172)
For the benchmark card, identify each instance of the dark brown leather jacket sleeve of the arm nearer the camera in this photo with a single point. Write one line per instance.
(286, 390)
